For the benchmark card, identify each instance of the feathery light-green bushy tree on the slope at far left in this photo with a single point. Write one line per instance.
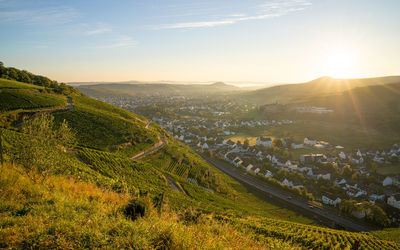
(40, 151)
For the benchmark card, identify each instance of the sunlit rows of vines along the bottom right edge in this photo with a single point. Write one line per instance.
(311, 236)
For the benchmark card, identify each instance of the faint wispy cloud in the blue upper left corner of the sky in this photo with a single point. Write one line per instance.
(48, 15)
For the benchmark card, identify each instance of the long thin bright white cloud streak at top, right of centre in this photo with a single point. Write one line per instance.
(266, 10)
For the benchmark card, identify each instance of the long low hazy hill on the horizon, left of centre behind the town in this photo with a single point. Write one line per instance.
(156, 89)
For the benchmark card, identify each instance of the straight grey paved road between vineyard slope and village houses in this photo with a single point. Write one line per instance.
(262, 186)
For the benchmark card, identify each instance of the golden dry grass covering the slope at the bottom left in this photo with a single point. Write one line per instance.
(66, 213)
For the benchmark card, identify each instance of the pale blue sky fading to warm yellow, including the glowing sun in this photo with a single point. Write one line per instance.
(205, 40)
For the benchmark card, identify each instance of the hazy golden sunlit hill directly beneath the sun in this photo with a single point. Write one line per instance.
(325, 85)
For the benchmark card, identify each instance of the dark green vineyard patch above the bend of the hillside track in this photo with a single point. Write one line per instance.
(103, 126)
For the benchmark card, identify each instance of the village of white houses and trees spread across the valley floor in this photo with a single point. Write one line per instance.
(343, 179)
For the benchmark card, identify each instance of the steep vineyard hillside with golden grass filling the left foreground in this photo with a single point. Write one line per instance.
(83, 184)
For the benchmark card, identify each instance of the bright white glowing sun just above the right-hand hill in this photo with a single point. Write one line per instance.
(340, 64)
